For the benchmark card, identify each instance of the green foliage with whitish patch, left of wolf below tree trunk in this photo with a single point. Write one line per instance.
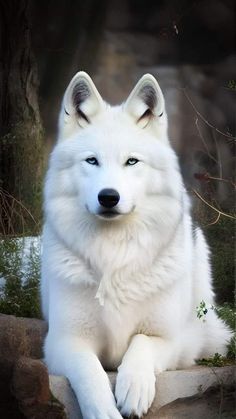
(19, 272)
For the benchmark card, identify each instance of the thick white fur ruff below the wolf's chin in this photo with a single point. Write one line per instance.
(112, 251)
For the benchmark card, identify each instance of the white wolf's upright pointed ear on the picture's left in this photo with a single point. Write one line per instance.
(81, 101)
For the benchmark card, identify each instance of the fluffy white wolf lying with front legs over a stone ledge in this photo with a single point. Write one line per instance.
(123, 268)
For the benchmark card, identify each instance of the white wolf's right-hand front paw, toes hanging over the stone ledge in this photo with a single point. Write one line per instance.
(135, 391)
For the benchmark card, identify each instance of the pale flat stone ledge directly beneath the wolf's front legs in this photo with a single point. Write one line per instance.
(182, 394)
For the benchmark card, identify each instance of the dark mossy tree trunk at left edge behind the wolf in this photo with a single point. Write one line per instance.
(21, 134)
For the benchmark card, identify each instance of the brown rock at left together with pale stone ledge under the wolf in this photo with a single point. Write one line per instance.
(26, 391)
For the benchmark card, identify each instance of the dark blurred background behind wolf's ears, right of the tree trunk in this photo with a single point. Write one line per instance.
(188, 45)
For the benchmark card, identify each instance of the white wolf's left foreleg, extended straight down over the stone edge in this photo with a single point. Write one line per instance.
(88, 379)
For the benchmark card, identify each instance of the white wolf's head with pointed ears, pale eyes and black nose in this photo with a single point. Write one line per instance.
(112, 163)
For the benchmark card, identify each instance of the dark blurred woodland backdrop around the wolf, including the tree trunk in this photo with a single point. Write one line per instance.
(189, 46)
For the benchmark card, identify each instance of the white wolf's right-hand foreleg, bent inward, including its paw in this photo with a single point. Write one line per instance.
(135, 385)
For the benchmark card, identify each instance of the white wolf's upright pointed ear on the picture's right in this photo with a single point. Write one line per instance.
(146, 101)
